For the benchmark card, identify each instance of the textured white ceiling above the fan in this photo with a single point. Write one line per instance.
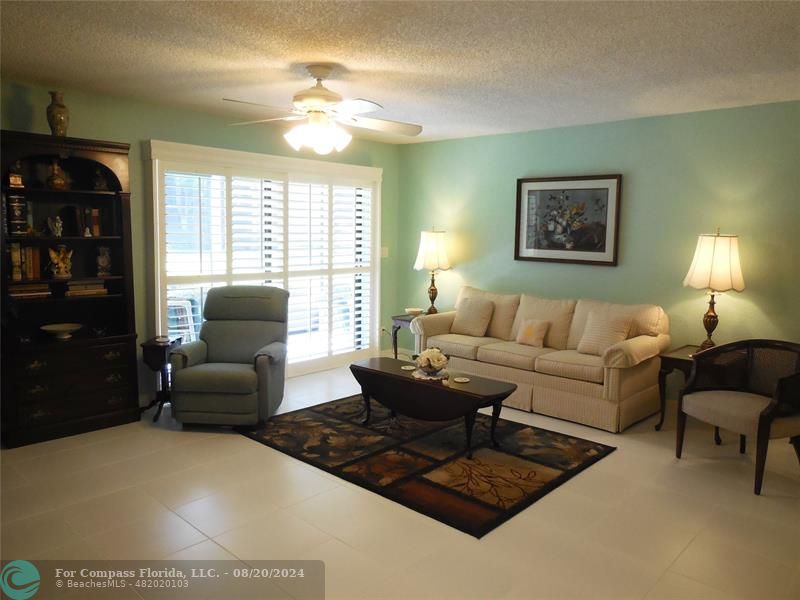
(457, 68)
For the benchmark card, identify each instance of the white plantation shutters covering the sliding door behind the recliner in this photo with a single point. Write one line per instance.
(302, 233)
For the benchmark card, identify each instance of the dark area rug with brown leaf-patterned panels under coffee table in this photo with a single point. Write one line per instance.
(423, 466)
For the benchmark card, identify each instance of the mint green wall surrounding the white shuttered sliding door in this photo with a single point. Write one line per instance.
(136, 122)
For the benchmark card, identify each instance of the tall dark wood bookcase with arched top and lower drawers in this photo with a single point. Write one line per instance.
(56, 387)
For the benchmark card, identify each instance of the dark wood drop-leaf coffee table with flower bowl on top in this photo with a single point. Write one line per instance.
(383, 380)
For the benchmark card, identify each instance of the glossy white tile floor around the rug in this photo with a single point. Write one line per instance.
(639, 524)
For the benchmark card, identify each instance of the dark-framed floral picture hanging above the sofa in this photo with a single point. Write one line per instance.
(572, 219)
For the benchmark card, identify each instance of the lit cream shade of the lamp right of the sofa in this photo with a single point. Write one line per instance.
(716, 265)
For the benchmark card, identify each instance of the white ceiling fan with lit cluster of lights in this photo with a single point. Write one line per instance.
(323, 110)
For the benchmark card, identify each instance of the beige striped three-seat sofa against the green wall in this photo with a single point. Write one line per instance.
(611, 390)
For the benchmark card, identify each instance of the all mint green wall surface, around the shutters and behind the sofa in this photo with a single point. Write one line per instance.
(736, 169)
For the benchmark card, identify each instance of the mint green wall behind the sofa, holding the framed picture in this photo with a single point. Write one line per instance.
(736, 169)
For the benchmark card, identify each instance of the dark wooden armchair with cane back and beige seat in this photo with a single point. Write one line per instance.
(751, 387)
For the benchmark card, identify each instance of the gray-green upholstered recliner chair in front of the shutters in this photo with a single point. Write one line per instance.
(234, 374)
